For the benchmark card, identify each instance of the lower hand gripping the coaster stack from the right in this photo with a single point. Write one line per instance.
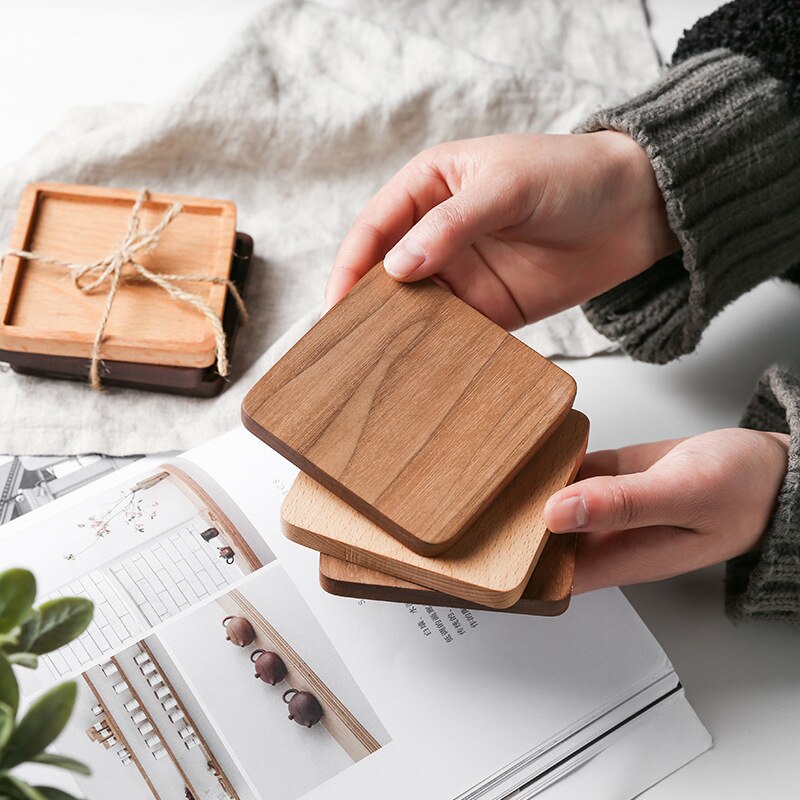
(651, 511)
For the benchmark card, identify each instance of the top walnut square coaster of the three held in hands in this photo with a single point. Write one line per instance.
(411, 406)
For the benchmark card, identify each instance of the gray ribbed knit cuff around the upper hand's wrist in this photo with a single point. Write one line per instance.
(725, 148)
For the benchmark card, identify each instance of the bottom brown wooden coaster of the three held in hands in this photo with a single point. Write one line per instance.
(547, 594)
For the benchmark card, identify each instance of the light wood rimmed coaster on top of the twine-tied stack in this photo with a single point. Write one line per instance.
(41, 310)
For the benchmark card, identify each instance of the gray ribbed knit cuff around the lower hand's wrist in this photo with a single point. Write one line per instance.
(766, 585)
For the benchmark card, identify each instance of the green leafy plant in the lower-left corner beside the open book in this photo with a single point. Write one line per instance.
(27, 632)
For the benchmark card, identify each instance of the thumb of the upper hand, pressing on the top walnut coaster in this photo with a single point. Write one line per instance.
(451, 227)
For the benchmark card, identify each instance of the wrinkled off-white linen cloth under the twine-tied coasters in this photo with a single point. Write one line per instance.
(311, 109)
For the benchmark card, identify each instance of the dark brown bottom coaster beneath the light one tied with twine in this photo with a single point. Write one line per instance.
(191, 381)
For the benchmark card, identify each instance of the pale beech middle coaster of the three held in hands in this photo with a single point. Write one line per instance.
(490, 565)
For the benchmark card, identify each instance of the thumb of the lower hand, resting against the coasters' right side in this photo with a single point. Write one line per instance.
(622, 502)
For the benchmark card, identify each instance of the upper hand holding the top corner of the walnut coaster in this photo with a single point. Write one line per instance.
(518, 226)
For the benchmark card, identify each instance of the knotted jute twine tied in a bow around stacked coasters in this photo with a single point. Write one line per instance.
(110, 269)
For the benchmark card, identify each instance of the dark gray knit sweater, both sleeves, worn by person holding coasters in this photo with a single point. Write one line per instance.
(722, 130)
